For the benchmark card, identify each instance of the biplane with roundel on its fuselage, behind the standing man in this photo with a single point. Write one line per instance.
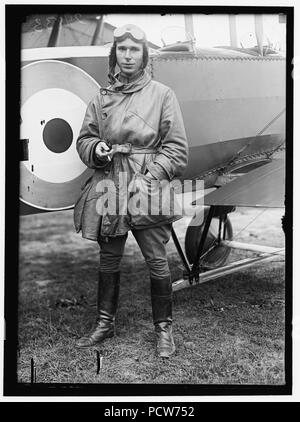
(233, 101)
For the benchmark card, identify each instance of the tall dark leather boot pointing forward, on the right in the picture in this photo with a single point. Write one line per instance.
(161, 297)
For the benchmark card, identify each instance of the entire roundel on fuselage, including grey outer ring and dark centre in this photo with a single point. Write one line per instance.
(54, 97)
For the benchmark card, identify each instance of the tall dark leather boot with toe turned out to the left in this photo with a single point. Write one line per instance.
(107, 301)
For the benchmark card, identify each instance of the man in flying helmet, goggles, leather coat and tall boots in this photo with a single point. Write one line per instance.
(134, 128)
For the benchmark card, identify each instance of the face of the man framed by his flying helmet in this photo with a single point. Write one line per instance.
(129, 56)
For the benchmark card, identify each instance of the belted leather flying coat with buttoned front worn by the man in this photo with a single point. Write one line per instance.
(143, 123)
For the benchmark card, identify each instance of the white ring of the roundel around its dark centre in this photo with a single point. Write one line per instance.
(37, 113)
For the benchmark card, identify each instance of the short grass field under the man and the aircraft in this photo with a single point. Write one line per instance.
(227, 331)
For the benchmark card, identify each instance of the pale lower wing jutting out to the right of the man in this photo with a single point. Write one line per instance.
(262, 187)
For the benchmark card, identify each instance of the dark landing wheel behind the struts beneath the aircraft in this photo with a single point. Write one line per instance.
(218, 255)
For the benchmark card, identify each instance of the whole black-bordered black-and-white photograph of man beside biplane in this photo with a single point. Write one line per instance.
(148, 200)
